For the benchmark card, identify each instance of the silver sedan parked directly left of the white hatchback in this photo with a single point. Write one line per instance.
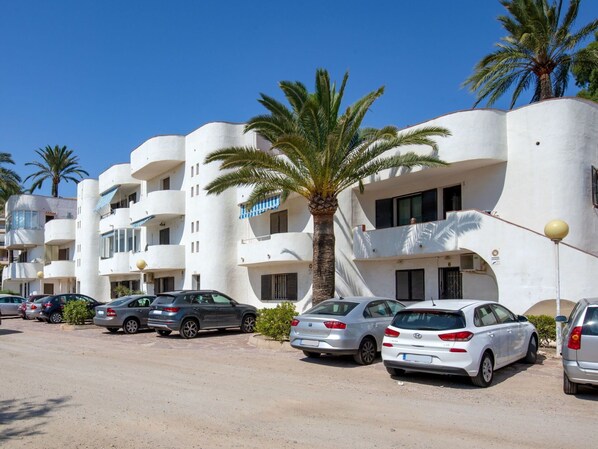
(341, 326)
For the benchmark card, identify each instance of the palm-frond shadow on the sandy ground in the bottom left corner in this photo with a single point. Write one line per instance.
(22, 418)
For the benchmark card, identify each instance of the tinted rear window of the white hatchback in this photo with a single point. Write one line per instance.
(429, 320)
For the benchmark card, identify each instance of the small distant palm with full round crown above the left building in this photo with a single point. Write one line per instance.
(57, 164)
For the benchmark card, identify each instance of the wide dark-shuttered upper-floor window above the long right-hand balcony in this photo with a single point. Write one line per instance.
(399, 211)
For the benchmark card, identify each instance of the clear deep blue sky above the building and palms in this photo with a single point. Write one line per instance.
(104, 76)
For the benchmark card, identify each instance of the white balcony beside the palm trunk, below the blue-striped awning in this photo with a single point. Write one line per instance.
(285, 247)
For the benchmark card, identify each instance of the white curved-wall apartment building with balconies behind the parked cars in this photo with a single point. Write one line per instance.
(478, 230)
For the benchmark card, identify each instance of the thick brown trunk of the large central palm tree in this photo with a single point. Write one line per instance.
(324, 260)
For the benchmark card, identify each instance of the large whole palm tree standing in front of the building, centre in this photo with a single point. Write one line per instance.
(317, 153)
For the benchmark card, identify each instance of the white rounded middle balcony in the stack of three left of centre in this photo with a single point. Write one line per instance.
(161, 205)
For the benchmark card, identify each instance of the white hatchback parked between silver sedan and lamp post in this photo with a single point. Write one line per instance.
(463, 337)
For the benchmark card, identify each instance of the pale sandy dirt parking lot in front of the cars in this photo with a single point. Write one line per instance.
(92, 389)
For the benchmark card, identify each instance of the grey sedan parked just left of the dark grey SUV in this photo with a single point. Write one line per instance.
(128, 312)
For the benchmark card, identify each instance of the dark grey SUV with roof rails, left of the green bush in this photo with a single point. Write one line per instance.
(189, 311)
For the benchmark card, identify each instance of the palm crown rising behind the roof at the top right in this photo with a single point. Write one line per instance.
(538, 52)
